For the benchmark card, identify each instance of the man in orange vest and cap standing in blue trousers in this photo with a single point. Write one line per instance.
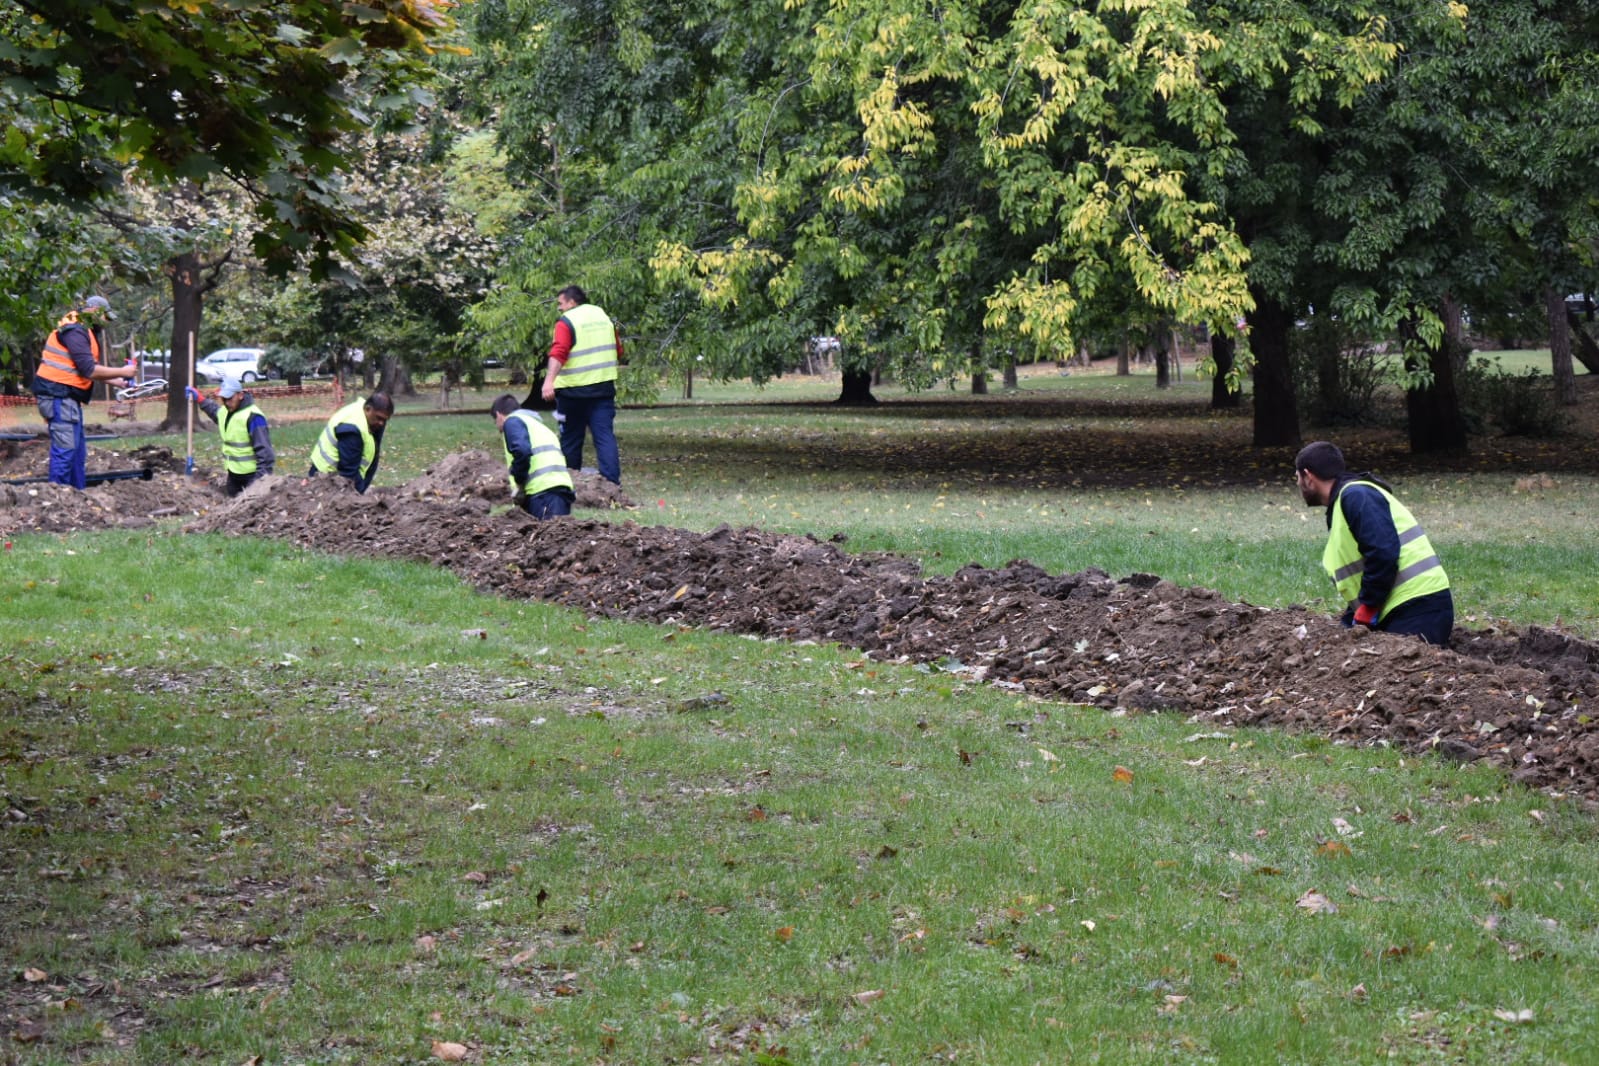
(68, 368)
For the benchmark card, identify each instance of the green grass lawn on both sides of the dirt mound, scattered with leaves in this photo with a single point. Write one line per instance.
(282, 808)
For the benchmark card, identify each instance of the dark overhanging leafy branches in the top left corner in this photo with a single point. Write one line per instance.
(258, 95)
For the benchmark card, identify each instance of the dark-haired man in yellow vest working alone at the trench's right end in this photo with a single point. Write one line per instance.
(1378, 554)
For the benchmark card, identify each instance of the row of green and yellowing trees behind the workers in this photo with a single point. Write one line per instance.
(939, 185)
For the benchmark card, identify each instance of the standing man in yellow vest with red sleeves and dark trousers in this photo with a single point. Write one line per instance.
(581, 381)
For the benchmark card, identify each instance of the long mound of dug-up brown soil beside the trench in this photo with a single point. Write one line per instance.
(1520, 699)
